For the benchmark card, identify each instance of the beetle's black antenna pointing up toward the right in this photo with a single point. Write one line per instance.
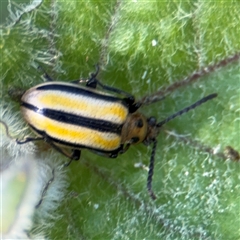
(185, 110)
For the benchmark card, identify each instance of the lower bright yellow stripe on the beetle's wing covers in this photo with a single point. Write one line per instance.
(72, 133)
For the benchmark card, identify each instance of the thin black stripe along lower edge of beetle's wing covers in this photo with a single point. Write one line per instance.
(48, 138)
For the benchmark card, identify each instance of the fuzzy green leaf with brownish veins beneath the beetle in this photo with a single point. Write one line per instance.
(145, 48)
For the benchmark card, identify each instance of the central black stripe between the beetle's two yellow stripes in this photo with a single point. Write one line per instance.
(95, 124)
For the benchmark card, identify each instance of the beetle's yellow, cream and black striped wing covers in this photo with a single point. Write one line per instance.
(74, 116)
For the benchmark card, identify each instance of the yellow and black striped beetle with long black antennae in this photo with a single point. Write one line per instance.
(68, 115)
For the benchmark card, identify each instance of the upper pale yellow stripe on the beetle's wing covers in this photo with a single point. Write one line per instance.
(83, 105)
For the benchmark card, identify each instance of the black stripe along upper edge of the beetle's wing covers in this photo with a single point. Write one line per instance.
(78, 90)
